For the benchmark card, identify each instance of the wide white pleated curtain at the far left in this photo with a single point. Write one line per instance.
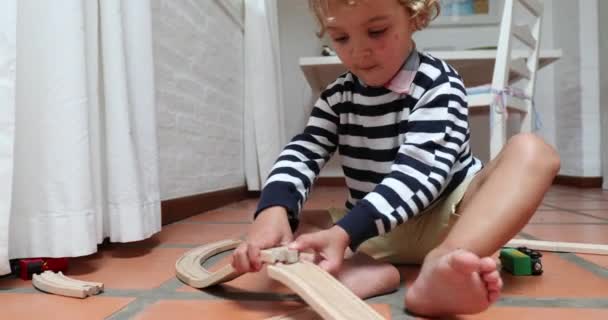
(78, 151)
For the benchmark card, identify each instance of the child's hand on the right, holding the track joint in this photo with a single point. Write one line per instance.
(329, 245)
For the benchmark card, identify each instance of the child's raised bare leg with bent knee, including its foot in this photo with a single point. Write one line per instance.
(499, 202)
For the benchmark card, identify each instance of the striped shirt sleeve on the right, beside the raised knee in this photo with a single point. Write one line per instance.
(435, 136)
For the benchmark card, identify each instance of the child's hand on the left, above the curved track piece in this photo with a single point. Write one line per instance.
(270, 229)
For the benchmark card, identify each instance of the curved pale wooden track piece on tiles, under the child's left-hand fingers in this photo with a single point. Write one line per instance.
(189, 267)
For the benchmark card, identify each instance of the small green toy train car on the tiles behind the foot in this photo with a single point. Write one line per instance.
(521, 261)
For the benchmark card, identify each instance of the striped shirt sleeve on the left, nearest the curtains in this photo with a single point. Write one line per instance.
(302, 159)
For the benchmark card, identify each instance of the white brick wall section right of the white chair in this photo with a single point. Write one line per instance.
(576, 90)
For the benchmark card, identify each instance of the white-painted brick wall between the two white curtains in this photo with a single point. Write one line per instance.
(198, 53)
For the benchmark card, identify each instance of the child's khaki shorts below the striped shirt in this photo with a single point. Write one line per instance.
(409, 242)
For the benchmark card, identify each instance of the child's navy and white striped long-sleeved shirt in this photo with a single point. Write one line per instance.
(400, 150)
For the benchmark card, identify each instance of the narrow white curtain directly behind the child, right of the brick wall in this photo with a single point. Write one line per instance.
(263, 91)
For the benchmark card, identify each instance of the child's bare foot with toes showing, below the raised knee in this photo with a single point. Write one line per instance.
(457, 282)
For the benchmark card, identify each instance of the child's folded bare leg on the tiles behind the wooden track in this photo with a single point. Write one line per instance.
(362, 274)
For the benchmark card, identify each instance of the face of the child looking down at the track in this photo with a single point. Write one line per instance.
(371, 37)
